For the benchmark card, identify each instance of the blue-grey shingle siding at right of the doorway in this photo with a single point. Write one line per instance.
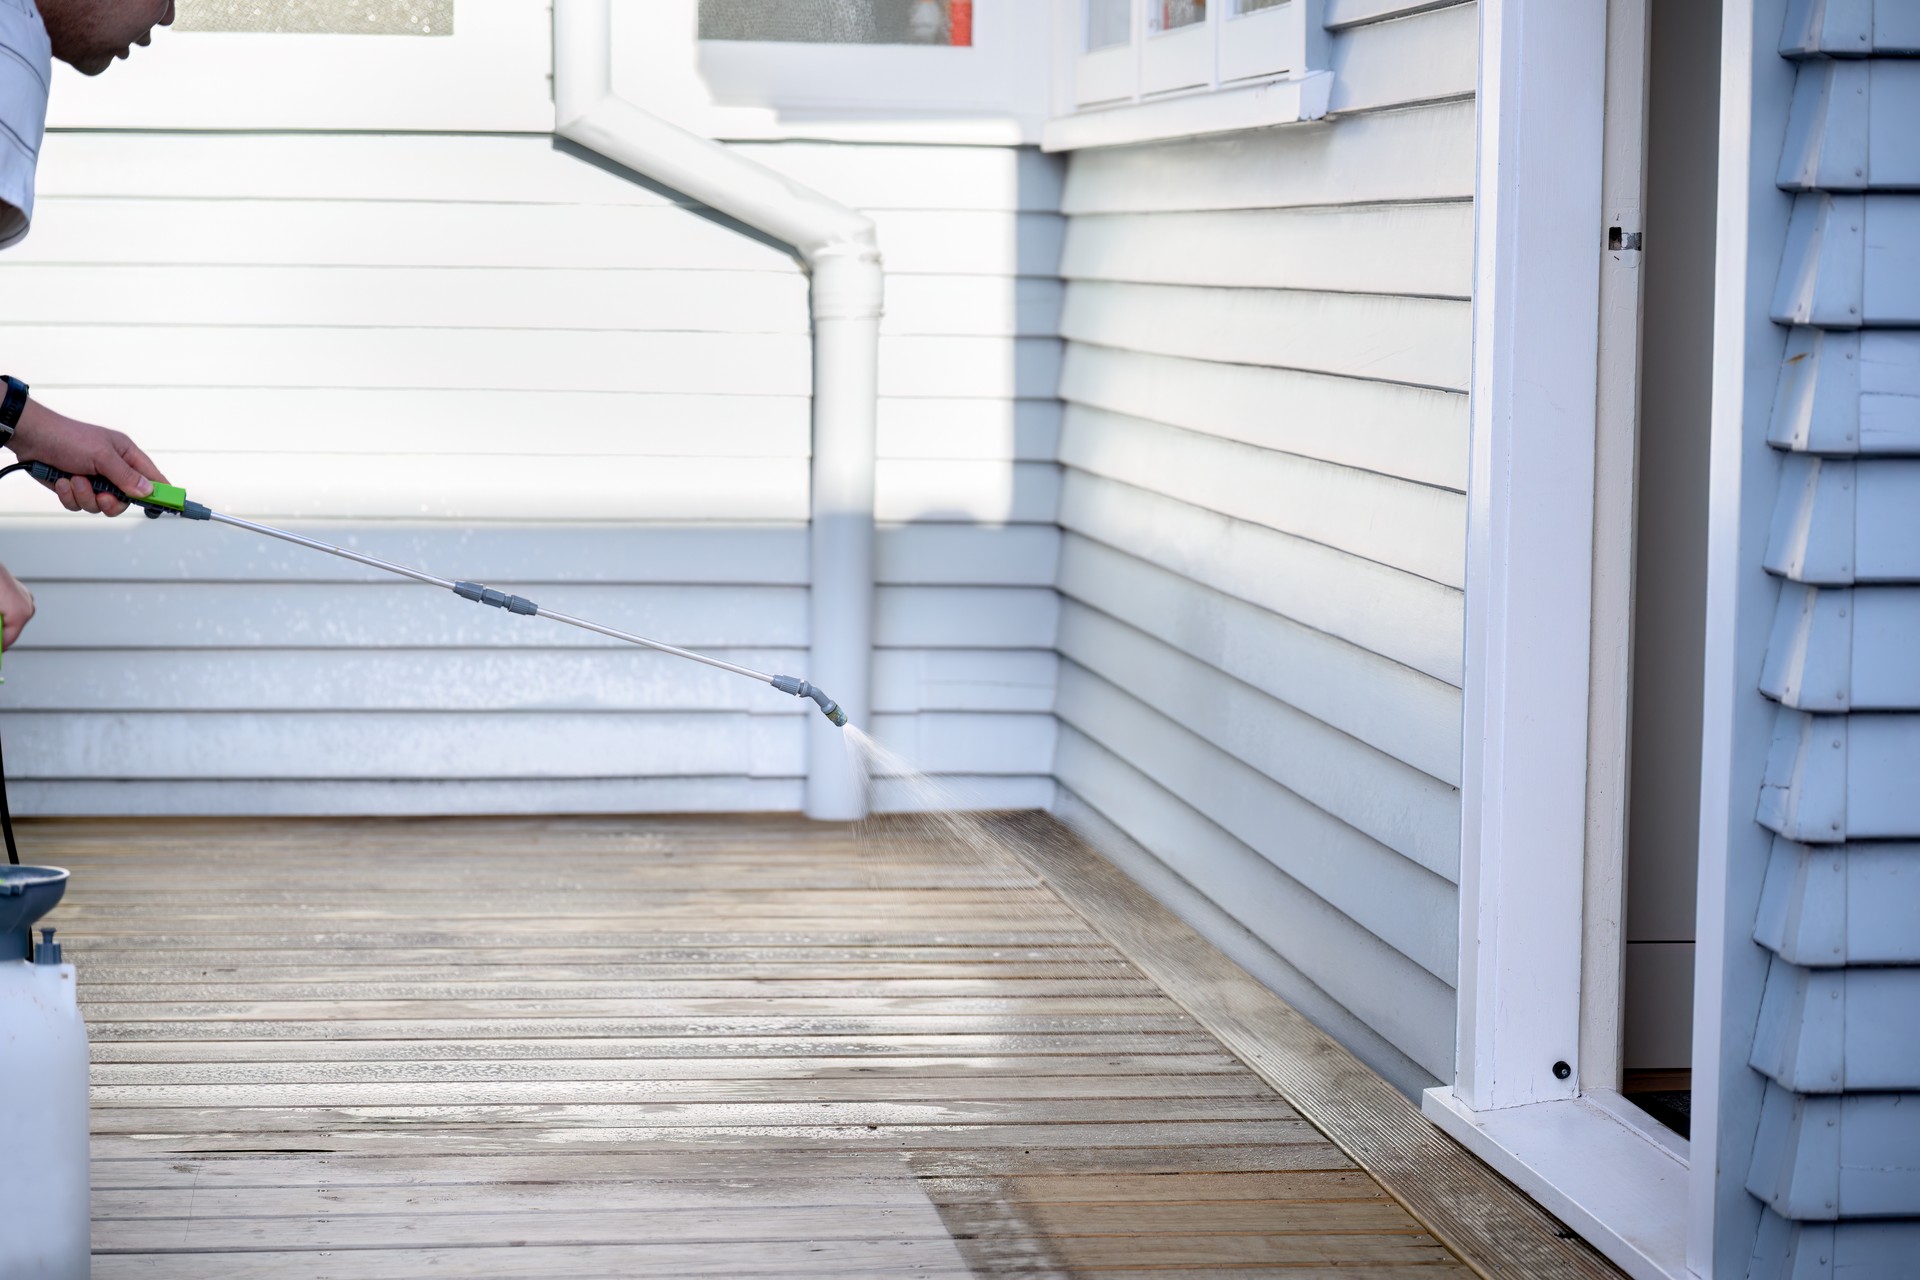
(1836, 1160)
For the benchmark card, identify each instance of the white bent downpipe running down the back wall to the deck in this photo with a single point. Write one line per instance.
(842, 252)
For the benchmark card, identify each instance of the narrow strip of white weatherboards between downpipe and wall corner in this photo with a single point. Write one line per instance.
(969, 490)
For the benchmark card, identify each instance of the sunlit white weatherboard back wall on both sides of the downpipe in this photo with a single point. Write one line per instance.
(498, 360)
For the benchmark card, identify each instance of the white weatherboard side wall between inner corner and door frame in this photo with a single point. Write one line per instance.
(1264, 517)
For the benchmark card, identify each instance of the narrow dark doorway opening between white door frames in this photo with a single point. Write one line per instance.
(1669, 613)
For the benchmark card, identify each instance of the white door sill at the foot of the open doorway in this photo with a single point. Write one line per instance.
(1598, 1164)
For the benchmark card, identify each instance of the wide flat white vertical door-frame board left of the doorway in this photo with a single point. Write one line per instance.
(1529, 548)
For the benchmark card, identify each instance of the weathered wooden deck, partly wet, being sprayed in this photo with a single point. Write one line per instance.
(692, 1049)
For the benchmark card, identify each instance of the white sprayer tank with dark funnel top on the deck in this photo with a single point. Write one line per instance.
(45, 1210)
